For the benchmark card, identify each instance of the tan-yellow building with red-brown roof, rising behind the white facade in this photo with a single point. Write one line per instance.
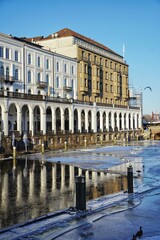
(102, 73)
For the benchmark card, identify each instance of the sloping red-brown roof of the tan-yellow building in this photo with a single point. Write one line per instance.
(66, 32)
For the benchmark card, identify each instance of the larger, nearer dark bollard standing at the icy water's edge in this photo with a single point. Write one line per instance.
(80, 193)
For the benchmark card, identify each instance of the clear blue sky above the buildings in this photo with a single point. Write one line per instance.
(135, 23)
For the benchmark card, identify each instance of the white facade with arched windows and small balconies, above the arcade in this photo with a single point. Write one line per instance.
(27, 68)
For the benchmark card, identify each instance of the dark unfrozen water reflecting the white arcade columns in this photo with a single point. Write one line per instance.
(30, 188)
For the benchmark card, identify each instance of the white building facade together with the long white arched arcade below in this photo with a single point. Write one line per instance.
(38, 92)
